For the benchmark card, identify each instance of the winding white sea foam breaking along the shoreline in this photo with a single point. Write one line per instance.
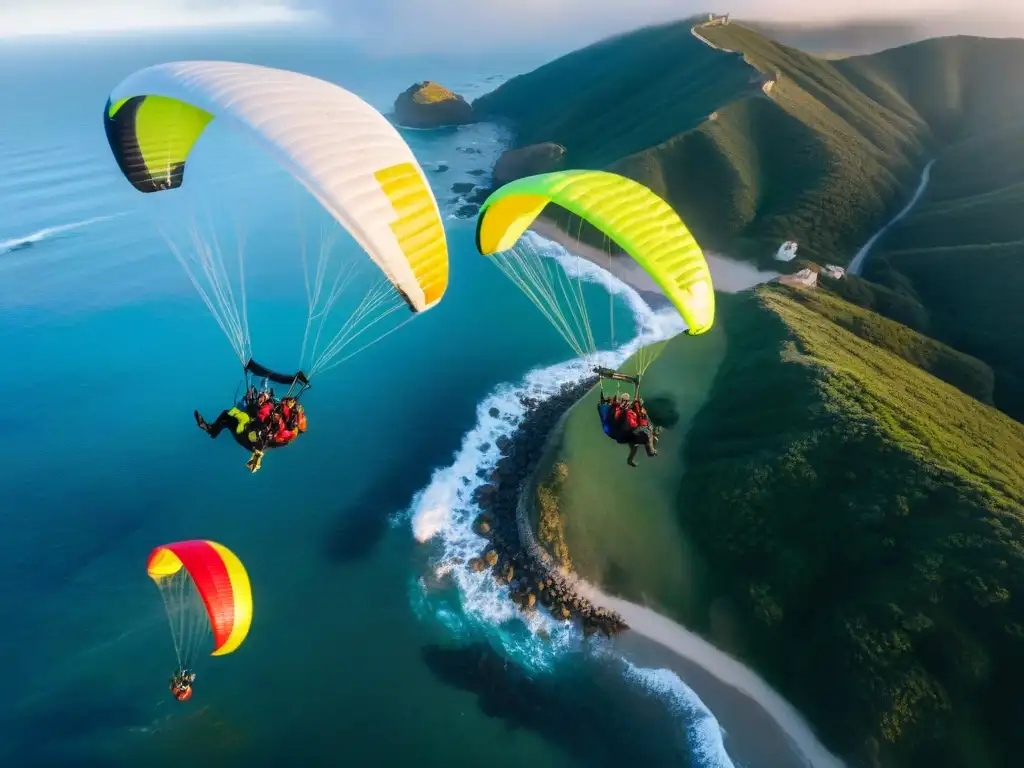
(444, 514)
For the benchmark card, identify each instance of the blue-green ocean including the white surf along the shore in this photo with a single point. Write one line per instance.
(368, 646)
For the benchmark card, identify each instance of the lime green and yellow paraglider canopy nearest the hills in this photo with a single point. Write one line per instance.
(630, 215)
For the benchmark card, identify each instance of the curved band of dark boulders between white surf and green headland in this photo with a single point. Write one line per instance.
(513, 554)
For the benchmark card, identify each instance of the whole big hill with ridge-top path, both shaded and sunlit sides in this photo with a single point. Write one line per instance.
(818, 161)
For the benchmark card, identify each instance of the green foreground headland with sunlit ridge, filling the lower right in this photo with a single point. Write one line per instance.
(847, 524)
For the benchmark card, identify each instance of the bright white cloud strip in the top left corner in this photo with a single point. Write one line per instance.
(63, 18)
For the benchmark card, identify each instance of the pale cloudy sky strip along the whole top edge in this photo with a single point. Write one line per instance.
(429, 26)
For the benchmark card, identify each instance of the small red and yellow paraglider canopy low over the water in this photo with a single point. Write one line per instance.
(220, 579)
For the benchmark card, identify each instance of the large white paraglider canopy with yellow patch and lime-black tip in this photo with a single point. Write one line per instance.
(343, 150)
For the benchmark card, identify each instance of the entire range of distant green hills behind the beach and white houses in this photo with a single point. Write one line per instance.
(825, 156)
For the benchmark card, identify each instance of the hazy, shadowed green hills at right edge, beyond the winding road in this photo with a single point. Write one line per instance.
(961, 253)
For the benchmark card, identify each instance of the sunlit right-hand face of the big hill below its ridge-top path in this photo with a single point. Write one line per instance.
(819, 162)
